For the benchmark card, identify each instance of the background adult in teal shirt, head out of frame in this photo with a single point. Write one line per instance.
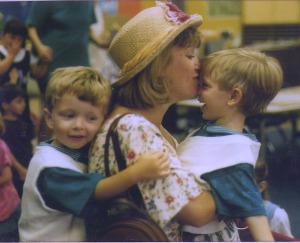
(60, 32)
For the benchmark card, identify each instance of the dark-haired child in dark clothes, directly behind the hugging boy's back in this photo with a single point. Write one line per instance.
(18, 133)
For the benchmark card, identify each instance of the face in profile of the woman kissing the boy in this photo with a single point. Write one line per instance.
(183, 73)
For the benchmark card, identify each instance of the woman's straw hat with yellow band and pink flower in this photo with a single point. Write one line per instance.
(146, 35)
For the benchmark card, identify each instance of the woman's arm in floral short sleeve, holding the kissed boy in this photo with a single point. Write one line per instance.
(179, 193)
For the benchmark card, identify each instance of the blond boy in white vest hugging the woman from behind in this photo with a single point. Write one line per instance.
(58, 193)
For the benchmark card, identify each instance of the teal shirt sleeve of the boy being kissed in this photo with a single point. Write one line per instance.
(235, 191)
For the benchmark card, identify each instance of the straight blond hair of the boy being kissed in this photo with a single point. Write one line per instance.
(258, 76)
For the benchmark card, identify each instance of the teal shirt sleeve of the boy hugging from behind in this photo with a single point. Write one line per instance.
(67, 190)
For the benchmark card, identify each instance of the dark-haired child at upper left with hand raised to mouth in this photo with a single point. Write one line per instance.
(17, 62)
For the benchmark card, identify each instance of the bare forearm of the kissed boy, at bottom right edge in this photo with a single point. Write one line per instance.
(259, 228)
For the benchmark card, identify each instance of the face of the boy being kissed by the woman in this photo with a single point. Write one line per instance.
(215, 100)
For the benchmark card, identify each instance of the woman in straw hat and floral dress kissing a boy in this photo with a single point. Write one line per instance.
(155, 51)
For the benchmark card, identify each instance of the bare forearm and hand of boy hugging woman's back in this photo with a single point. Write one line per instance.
(149, 166)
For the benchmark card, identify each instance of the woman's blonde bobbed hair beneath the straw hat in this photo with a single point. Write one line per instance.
(147, 89)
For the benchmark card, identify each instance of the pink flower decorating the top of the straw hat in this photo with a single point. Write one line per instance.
(173, 13)
